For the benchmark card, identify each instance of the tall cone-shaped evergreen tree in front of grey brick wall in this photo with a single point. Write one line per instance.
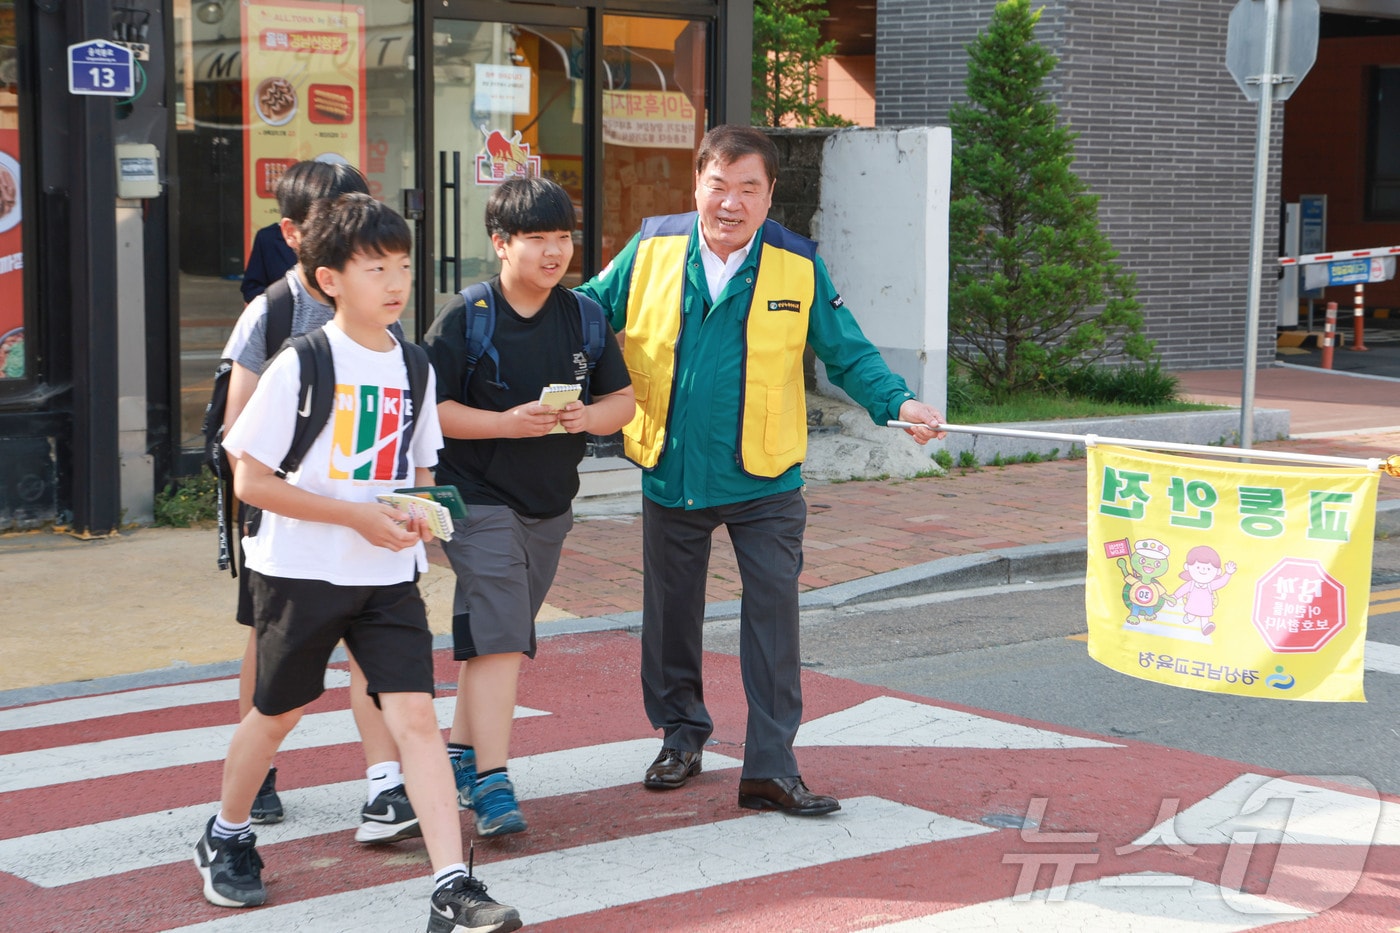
(1034, 295)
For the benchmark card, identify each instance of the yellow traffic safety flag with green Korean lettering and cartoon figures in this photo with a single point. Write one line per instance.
(1230, 578)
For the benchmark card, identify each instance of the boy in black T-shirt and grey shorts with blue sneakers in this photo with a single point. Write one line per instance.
(517, 474)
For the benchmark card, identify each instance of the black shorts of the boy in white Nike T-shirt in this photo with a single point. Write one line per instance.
(299, 624)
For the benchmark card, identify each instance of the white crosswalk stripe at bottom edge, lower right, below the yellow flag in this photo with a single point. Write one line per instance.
(1143, 903)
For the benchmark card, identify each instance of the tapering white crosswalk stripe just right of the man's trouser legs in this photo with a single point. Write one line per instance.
(892, 722)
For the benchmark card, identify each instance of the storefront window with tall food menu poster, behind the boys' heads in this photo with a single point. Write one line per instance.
(260, 86)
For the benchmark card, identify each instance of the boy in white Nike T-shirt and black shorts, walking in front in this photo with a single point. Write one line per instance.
(331, 562)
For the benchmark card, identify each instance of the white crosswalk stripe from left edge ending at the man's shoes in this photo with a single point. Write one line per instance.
(82, 854)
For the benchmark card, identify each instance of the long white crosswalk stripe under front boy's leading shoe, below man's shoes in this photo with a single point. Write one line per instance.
(552, 886)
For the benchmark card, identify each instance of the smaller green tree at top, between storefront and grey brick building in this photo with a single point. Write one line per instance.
(787, 53)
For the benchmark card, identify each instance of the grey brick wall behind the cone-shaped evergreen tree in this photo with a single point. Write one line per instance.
(1167, 141)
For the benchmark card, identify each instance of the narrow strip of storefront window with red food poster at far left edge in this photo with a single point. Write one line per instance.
(12, 229)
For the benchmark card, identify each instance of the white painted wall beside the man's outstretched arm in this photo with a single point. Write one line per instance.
(883, 226)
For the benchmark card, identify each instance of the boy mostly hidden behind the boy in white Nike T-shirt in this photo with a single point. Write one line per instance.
(295, 306)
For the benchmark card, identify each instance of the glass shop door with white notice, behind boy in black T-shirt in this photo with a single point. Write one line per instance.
(507, 99)
